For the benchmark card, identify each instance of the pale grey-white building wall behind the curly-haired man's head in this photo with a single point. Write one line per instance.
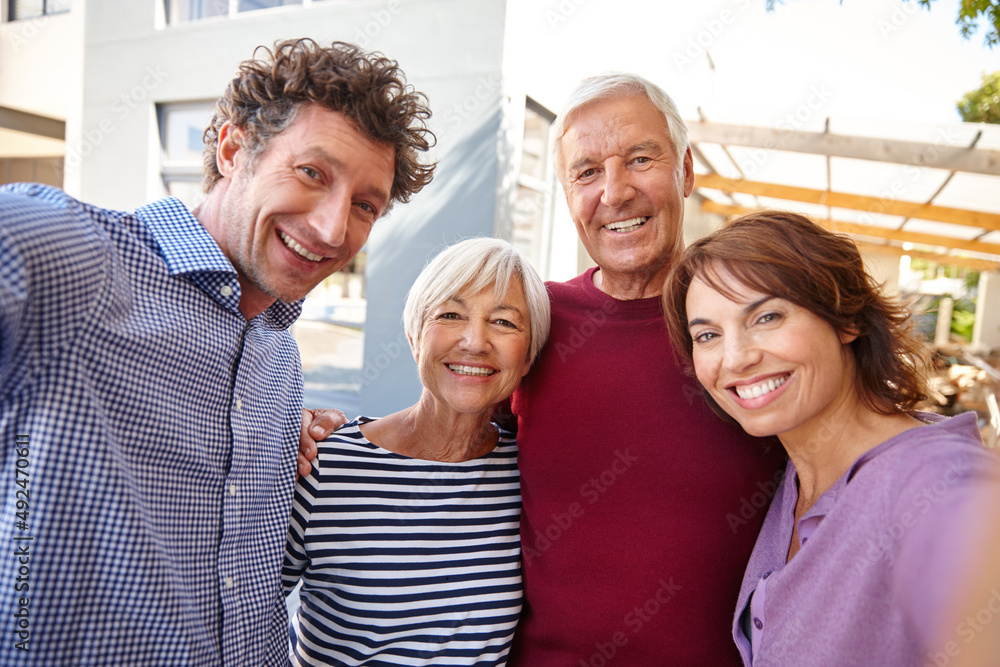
(133, 61)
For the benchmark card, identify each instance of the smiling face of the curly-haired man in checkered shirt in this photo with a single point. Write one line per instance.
(304, 207)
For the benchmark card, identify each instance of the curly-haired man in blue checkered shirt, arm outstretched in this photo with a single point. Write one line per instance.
(150, 393)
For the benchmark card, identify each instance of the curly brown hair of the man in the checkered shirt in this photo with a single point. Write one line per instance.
(368, 88)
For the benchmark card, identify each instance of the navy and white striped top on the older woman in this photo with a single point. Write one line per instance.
(405, 561)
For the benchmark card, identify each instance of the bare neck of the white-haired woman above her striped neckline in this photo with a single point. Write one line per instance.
(433, 432)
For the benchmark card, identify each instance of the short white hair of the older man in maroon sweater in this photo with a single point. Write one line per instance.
(613, 86)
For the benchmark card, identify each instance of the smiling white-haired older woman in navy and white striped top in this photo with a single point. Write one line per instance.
(405, 533)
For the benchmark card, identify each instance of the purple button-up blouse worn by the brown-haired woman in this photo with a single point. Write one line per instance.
(880, 552)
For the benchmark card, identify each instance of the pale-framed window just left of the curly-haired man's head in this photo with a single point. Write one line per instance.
(181, 130)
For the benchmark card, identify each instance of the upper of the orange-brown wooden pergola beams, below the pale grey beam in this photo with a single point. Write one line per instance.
(957, 216)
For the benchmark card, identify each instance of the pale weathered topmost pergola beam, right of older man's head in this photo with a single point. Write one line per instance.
(939, 155)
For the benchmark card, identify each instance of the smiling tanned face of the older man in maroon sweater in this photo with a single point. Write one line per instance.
(625, 185)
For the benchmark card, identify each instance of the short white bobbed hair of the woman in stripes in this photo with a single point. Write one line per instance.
(471, 266)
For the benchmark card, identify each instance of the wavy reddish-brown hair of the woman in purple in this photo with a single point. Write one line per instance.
(786, 255)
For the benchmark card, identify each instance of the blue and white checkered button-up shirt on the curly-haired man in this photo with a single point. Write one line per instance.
(148, 434)
